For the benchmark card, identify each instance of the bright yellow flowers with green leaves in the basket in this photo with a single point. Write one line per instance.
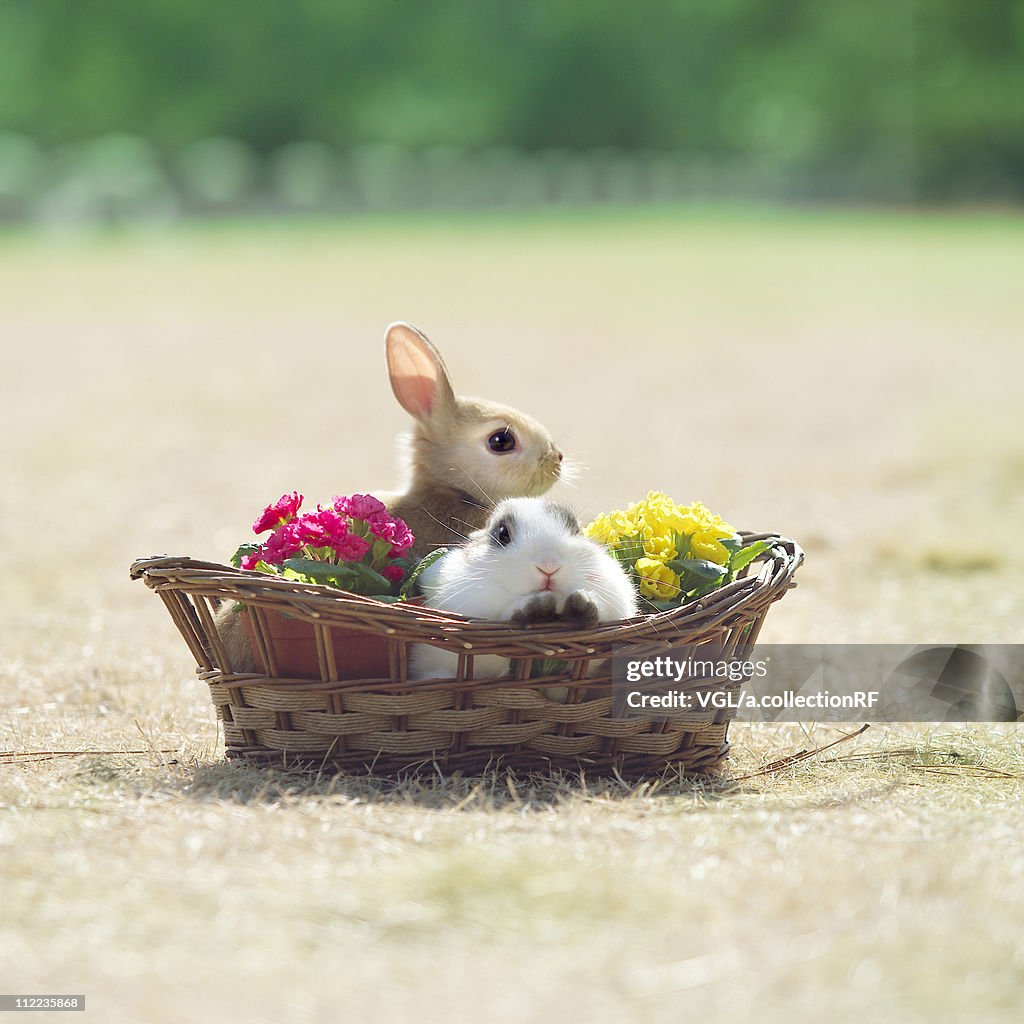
(673, 552)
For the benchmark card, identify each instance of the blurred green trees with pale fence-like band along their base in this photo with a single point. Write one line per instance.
(113, 109)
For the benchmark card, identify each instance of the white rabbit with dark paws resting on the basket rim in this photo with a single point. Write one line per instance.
(530, 564)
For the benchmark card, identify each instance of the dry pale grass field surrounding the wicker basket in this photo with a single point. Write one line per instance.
(851, 380)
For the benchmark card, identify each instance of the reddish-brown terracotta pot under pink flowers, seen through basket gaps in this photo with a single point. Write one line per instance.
(357, 656)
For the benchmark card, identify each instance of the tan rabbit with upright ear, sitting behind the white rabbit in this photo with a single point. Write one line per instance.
(464, 455)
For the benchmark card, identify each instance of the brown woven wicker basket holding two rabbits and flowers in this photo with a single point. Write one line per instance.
(390, 724)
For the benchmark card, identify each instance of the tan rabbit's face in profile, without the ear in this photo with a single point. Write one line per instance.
(493, 452)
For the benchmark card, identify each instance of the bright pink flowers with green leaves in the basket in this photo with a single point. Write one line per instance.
(354, 544)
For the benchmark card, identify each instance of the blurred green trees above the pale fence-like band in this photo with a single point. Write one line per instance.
(868, 99)
